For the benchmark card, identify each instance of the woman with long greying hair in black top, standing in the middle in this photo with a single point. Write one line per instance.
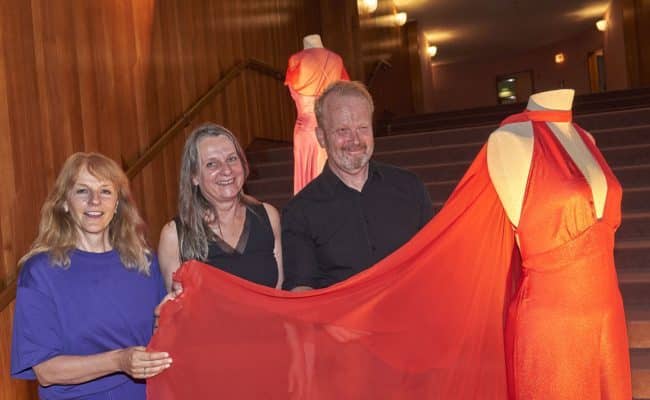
(217, 223)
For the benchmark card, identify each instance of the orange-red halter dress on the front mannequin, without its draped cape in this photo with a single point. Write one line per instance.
(566, 331)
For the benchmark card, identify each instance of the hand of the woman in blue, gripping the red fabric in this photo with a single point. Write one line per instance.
(141, 364)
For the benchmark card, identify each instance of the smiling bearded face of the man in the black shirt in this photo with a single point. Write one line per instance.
(347, 134)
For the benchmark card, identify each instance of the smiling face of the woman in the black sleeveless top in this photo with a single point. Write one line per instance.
(220, 174)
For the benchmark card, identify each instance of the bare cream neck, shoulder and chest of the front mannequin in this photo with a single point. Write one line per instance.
(510, 152)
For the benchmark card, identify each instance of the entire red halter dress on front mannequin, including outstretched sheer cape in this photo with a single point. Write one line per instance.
(426, 322)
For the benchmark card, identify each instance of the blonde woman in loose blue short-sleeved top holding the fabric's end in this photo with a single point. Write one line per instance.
(87, 290)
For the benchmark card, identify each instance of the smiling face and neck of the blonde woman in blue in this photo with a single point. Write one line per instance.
(91, 203)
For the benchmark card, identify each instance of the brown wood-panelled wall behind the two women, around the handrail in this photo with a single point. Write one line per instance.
(78, 75)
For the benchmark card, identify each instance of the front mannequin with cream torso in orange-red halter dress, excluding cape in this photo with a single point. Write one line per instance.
(565, 333)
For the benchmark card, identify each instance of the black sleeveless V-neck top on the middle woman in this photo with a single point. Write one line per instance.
(253, 257)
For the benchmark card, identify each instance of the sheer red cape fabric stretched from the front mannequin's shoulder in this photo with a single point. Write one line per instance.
(426, 322)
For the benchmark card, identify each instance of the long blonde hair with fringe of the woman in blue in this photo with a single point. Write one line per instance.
(57, 232)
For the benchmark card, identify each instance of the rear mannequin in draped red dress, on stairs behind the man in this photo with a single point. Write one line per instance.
(309, 73)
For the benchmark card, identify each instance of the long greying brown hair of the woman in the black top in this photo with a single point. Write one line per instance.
(194, 230)
